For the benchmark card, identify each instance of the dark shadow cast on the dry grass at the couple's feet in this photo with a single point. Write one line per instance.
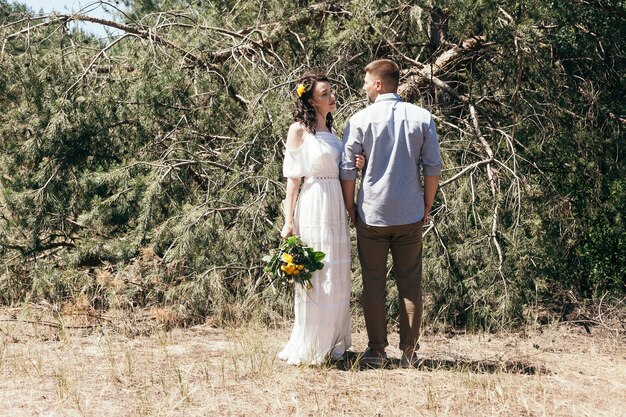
(350, 362)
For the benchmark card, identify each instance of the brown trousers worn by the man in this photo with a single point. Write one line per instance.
(405, 243)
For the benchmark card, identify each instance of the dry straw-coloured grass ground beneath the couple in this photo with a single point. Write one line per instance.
(203, 371)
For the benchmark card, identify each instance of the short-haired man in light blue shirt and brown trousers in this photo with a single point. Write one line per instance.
(398, 139)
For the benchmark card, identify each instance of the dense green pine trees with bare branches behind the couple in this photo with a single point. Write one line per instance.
(144, 170)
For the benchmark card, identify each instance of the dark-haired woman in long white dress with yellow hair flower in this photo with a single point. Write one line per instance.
(317, 213)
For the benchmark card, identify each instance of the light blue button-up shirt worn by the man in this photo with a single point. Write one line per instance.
(397, 138)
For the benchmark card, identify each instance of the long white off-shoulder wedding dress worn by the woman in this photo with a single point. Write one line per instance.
(322, 328)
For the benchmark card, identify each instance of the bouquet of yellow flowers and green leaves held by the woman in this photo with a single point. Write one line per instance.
(293, 262)
